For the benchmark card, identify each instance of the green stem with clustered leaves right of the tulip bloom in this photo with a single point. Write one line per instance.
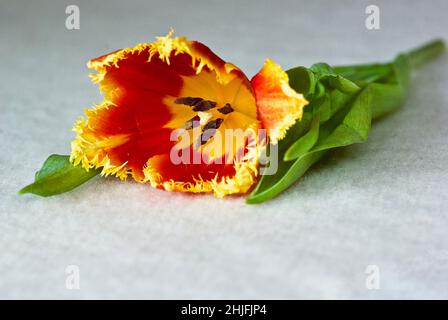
(346, 99)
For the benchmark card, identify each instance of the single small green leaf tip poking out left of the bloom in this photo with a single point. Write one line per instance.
(58, 175)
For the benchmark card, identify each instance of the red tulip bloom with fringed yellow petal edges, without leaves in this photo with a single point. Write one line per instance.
(168, 108)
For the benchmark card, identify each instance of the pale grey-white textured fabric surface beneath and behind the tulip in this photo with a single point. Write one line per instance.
(383, 203)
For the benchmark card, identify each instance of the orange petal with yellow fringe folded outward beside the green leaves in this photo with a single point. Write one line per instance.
(278, 105)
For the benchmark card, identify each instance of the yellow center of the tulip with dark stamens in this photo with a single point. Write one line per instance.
(215, 115)
